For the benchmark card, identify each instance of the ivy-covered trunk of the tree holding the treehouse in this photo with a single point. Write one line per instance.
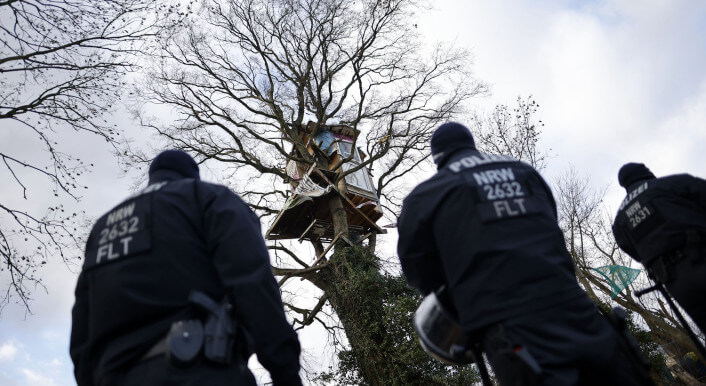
(358, 293)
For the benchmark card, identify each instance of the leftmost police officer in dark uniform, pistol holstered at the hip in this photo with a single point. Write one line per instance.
(143, 260)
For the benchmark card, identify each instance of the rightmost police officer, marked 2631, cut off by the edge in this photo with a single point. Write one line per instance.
(662, 224)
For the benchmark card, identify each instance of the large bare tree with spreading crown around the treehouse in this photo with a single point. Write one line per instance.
(245, 76)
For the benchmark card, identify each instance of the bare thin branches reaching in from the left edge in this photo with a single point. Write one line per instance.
(62, 64)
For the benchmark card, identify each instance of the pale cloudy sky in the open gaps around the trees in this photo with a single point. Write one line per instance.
(616, 81)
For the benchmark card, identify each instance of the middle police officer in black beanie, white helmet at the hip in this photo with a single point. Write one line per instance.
(485, 226)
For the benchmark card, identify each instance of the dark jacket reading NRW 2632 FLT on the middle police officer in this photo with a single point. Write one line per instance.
(486, 227)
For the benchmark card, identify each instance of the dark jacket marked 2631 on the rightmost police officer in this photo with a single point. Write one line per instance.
(653, 218)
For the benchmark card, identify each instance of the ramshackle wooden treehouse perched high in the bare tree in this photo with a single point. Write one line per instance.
(306, 214)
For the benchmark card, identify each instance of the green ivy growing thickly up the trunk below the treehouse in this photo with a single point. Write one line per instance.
(376, 310)
